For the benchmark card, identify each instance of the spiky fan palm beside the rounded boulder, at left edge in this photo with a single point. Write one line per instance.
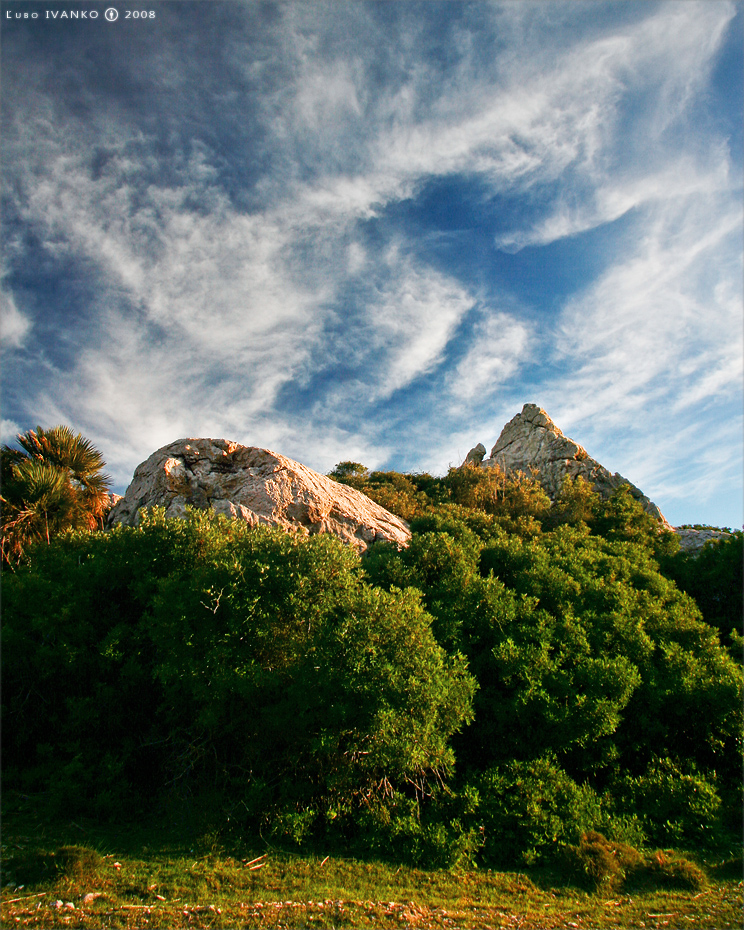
(54, 483)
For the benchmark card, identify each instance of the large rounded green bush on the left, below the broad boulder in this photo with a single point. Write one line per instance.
(205, 656)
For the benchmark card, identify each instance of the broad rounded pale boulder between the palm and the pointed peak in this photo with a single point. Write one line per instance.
(257, 486)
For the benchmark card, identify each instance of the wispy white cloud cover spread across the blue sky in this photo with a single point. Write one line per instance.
(208, 309)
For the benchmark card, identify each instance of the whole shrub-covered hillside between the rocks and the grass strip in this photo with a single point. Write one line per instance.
(524, 673)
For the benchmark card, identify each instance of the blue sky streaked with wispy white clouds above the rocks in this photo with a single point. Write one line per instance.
(374, 231)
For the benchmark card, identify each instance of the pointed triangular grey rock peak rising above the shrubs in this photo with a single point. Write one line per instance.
(531, 443)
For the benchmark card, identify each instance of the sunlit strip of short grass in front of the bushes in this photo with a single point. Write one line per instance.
(78, 875)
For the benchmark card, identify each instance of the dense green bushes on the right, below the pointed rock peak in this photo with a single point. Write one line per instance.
(585, 654)
